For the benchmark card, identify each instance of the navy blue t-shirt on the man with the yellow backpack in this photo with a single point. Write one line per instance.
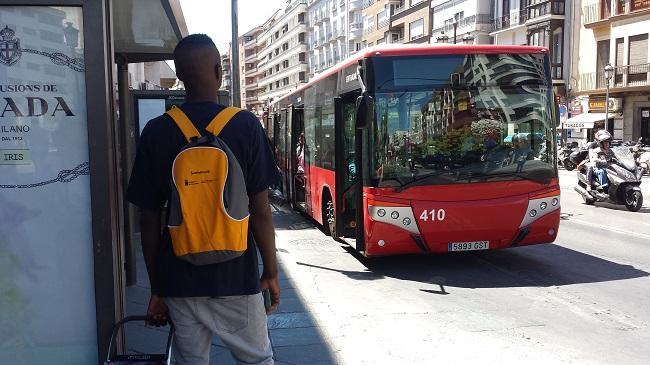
(150, 188)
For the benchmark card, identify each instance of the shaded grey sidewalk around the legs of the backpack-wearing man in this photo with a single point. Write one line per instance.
(295, 336)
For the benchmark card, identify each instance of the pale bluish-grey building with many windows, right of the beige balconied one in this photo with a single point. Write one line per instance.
(335, 31)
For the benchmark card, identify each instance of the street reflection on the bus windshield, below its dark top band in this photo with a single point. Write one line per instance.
(459, 131)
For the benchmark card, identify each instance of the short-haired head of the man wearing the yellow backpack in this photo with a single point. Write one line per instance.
(198, 63)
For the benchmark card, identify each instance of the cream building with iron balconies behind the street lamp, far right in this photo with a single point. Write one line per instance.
(614, 32)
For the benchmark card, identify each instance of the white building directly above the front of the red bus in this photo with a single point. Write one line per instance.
(462, 21)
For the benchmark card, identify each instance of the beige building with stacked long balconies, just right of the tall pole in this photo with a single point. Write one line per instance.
(282, 54)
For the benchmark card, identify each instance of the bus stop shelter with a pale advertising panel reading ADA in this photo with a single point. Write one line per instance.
(65, 142)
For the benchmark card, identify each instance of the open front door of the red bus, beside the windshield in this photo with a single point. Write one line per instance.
(347, 168)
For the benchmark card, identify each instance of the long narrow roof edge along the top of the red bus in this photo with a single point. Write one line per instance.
(387, 50)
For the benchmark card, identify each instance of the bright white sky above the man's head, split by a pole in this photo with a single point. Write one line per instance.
(212, 17)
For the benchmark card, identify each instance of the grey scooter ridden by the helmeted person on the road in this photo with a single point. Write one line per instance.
(624, 182)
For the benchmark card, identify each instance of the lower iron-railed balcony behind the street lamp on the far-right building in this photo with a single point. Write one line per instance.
(624, 77)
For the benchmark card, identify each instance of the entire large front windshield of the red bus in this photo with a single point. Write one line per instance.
(462, 119)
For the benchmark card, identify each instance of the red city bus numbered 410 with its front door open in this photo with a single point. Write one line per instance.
(424, 149)
